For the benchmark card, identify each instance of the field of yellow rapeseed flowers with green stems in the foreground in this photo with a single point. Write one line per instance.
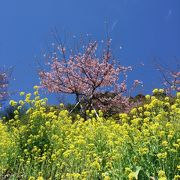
(45, 143)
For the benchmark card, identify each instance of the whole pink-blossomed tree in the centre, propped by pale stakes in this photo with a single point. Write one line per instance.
(87, 76)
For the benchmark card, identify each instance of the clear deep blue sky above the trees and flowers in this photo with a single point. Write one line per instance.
(145, 29)
